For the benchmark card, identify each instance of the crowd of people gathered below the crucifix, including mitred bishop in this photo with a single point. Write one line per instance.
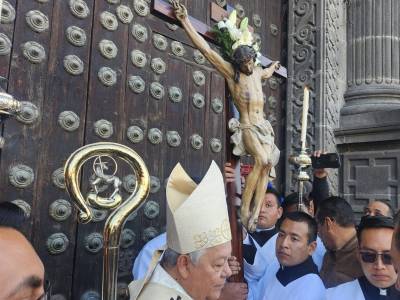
(318, 252)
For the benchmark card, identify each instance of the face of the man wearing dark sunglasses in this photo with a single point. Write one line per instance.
(374, 256)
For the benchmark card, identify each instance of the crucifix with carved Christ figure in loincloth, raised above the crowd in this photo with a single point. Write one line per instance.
(252, 133)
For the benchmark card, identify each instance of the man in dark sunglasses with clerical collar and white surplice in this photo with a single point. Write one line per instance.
(374, 239)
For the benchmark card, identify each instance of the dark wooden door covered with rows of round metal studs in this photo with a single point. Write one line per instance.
(110, 70)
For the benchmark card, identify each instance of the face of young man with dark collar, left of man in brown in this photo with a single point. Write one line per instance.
(292, 246)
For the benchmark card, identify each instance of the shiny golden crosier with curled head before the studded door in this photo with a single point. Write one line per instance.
(115, 222)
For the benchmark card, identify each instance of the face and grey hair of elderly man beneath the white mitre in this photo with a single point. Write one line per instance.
(207, 278)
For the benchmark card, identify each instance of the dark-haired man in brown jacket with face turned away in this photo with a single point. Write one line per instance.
(337, 231)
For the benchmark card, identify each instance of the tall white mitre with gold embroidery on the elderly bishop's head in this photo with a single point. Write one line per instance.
(197, 215)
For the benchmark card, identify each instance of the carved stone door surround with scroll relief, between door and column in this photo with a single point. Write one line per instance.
(316, 58)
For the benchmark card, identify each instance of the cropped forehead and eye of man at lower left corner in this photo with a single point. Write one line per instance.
(21, 271)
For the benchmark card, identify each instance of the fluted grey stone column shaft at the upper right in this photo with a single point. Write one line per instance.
(373, 77)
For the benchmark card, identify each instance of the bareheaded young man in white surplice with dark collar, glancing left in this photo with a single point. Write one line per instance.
(294, 275)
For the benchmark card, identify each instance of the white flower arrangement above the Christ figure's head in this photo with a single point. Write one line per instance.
(229, 36)
